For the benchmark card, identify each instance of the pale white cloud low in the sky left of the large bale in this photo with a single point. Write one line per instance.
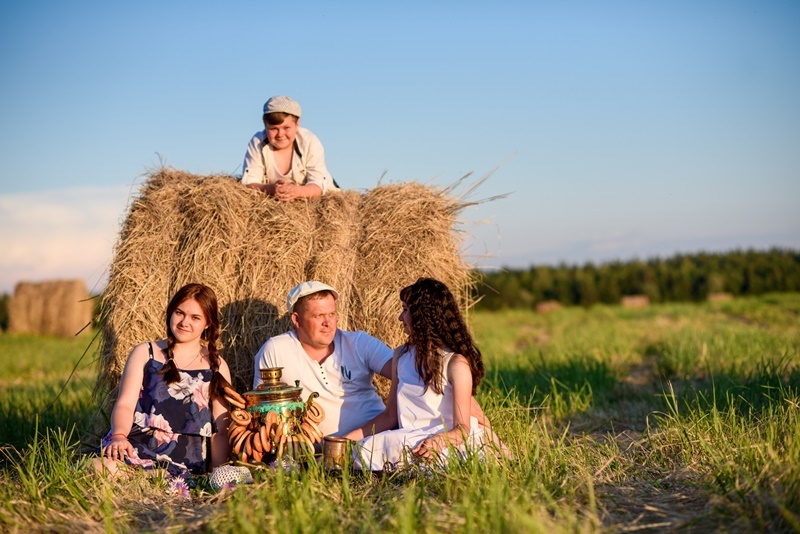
(68, 233)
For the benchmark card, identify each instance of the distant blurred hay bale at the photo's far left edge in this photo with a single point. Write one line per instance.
(57, 308)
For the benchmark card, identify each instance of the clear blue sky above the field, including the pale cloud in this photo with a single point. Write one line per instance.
(620, 129)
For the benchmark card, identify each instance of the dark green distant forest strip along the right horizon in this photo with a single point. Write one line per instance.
(690, 277)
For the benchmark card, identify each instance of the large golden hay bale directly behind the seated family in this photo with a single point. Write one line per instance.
(251, 249)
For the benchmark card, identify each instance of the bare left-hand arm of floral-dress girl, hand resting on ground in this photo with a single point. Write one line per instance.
(122, 415)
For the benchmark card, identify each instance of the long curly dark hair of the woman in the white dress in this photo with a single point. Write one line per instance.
(436, 322)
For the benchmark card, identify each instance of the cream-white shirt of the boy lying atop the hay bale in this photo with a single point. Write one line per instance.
(308, 162)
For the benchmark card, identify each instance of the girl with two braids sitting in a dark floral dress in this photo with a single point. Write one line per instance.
(170, 412)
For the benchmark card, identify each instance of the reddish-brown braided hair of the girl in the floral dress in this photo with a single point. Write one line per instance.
(207, 299)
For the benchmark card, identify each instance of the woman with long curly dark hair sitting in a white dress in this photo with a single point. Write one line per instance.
(434, 376)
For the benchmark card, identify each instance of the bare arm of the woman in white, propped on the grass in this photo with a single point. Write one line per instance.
(458, 374)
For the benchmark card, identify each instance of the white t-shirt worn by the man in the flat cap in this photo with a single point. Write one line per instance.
(343, 380)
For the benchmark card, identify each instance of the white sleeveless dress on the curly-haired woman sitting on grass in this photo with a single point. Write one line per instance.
(421, 413)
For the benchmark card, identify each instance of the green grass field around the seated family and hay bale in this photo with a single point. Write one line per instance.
(673, 417)
